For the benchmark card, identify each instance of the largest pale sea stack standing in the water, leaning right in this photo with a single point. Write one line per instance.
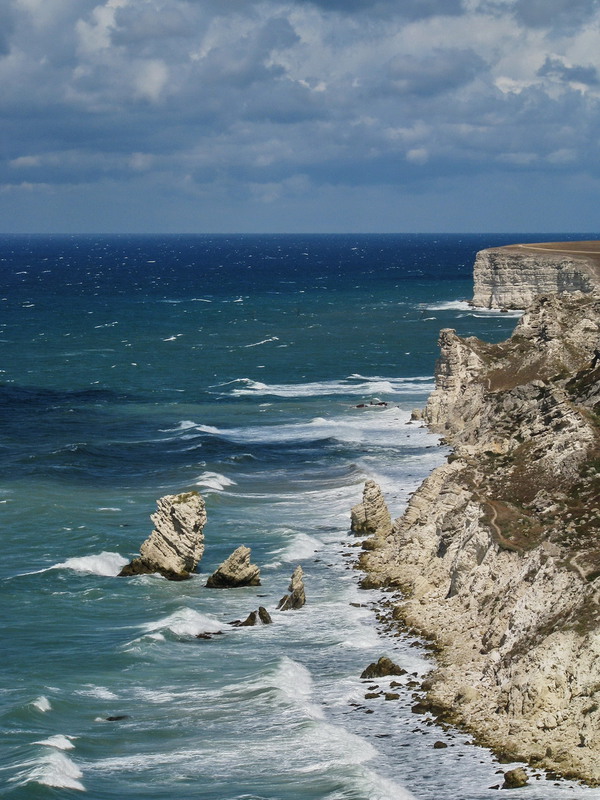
(176, 545)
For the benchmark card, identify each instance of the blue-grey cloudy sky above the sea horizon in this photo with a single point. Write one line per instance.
(218, 116)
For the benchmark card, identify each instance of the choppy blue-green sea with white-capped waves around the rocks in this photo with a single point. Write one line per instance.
(274, 374)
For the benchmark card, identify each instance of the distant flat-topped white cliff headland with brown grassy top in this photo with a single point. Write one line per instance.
(511, 277)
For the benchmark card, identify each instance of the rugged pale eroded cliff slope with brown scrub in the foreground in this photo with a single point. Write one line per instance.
(497, 554)
